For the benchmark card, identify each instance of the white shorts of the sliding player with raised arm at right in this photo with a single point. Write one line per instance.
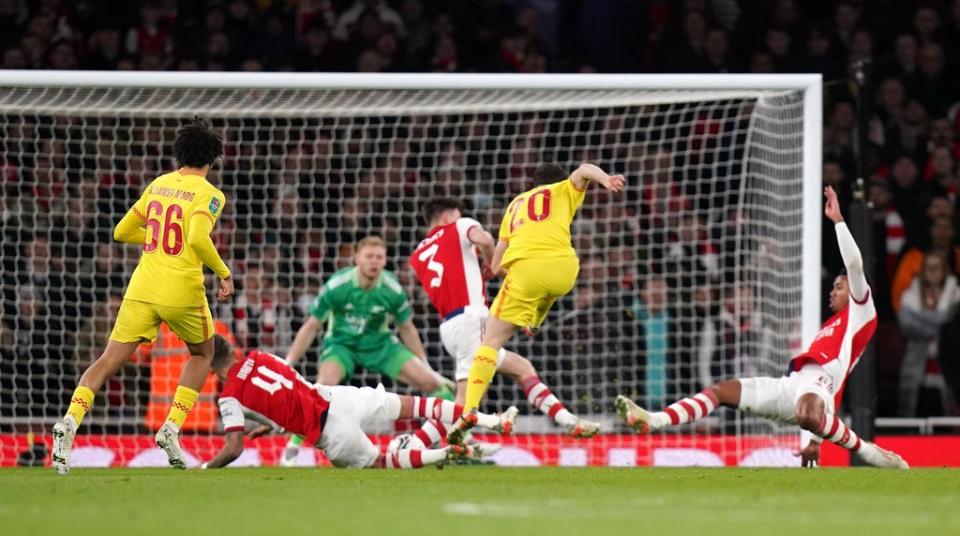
(776, 398)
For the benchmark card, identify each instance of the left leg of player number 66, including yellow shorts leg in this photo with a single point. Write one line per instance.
(136, 323)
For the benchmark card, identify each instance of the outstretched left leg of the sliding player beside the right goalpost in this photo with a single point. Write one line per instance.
(692, 408)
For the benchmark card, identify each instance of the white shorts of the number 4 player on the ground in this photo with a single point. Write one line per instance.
(351, 410)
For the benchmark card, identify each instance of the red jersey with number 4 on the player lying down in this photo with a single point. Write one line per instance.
(265, 388)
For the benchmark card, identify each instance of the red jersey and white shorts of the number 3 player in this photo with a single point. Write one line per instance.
(448, 268)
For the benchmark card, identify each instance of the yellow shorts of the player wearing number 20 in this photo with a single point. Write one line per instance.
(531, 288)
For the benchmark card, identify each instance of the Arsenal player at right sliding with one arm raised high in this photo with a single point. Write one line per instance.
(811, 392)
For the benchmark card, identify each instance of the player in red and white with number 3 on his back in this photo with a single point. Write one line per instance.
(449, 270)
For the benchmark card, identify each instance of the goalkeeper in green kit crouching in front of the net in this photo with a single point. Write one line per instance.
(357, 304)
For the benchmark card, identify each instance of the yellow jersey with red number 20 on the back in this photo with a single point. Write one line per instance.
(537, 222)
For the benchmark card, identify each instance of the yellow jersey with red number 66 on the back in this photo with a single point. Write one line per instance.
(170, 272)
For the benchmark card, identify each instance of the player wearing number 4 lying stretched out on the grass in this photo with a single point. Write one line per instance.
(263, 387)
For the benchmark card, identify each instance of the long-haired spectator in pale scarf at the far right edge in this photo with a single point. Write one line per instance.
(929, 303)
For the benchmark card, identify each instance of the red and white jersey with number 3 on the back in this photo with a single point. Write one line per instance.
(447, 266)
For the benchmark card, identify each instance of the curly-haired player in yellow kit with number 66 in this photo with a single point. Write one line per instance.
(172, 221)
